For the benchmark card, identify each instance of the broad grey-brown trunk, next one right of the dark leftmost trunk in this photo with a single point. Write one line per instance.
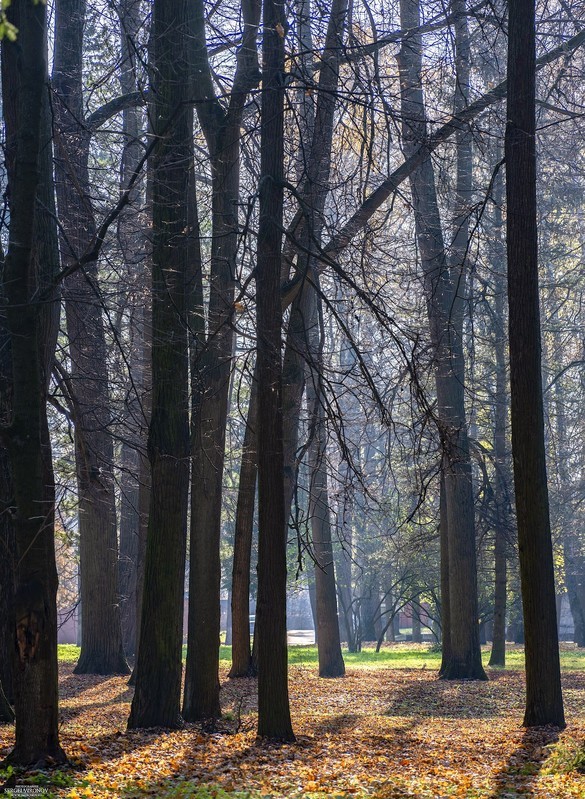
(87, 386)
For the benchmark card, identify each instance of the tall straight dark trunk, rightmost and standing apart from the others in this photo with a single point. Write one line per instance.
(544, 700)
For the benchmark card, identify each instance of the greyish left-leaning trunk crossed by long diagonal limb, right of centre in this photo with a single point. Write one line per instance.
(444, 301)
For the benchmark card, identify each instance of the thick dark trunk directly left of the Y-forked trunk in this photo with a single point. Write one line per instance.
(157, 696)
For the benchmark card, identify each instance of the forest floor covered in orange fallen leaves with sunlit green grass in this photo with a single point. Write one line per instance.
(389, 729)
